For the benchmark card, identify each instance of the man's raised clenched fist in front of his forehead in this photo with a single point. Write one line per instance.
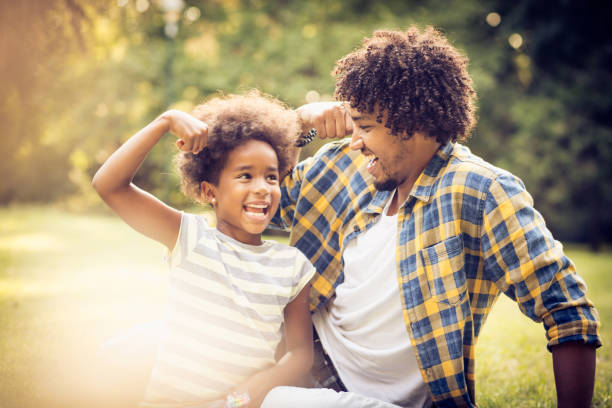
(329, 118)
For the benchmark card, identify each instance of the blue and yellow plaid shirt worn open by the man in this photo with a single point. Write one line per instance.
(466, 233)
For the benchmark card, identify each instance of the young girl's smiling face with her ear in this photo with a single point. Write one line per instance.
(248, 192)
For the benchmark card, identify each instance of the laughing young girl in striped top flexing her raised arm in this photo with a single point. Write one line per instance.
(231, 294)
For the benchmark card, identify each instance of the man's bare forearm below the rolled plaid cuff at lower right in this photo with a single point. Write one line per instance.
(574, 367)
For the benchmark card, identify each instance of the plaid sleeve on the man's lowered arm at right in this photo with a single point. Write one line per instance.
(527, 264)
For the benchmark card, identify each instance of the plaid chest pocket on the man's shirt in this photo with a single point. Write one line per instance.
(444, 266)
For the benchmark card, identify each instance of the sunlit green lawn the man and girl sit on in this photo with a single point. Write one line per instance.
(68, 282)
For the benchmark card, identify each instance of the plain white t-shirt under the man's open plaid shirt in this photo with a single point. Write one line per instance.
(363, 329)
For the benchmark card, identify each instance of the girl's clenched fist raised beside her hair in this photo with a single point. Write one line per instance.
(191, 132)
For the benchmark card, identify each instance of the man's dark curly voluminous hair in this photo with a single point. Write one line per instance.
(418, 78)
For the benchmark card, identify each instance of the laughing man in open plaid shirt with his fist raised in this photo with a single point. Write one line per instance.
(414, 237)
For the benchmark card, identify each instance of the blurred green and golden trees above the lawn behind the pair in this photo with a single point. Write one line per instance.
(84, 75)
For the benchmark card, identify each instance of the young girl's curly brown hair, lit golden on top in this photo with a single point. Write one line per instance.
(233, 120)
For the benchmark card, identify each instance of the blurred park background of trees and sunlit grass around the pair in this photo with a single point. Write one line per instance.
(78, 77)
